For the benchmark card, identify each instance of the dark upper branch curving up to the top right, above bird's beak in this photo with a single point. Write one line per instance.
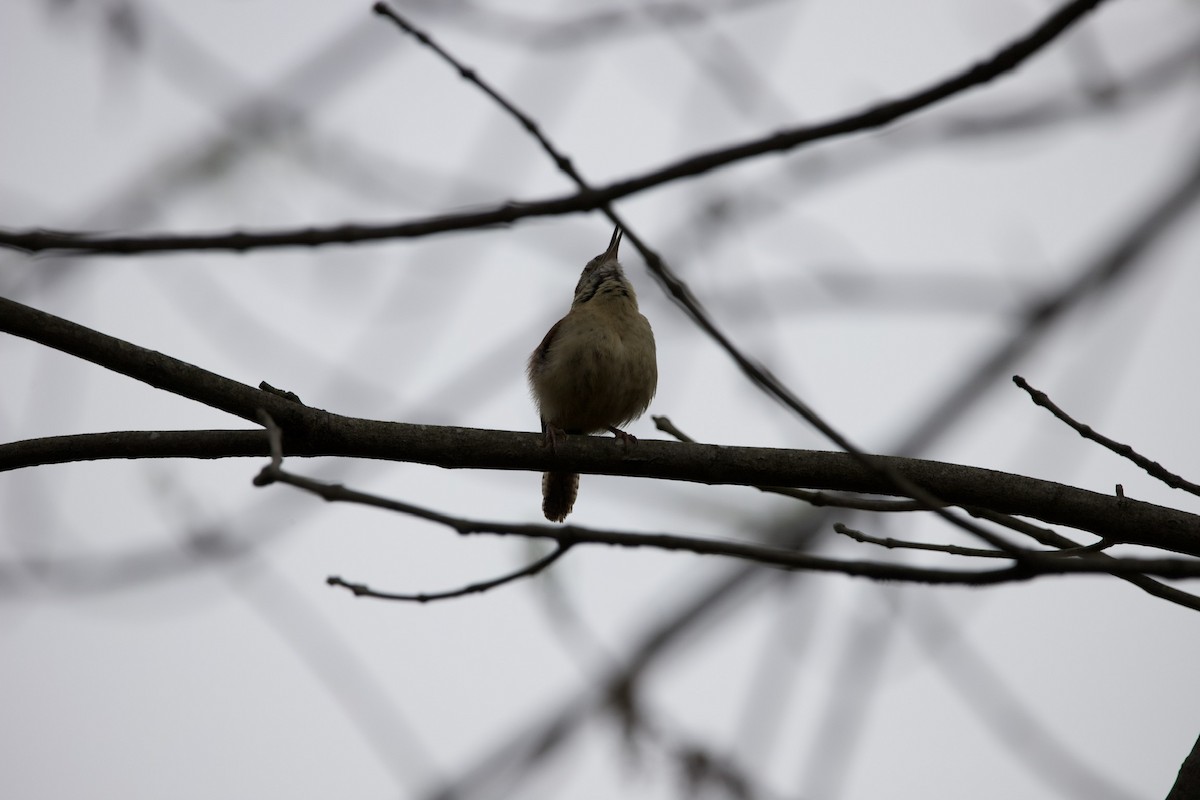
(1006, 61)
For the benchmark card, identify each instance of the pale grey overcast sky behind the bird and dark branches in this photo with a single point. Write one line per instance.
(872, 274)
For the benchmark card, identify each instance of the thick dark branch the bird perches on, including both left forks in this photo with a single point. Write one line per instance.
(315, 432)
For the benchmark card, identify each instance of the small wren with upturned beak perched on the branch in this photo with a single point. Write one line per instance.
(596, 370)
